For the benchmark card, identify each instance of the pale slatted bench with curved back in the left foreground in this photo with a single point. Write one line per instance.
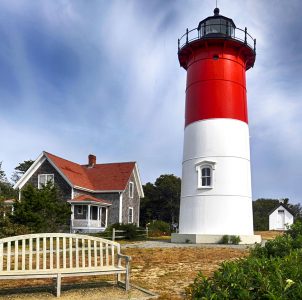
(57, 255)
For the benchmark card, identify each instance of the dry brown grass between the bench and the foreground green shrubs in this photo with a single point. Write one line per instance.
(168, 271)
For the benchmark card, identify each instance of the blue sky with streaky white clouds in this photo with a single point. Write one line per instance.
(102, 77)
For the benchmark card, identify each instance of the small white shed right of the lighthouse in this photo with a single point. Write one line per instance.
(280, 217)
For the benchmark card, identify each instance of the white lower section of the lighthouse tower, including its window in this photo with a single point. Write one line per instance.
(216, 206)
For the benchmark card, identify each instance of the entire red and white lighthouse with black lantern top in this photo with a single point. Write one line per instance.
(216, 195)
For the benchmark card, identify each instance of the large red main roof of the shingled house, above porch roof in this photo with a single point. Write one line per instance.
(100, 177)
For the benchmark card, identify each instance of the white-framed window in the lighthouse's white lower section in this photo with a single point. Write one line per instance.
(205, 172)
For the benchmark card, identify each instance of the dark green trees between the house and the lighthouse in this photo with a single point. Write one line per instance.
(162, 200)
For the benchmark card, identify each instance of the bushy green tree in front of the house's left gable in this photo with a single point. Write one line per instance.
(42, 210)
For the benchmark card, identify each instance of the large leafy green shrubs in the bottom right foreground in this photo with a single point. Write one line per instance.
(252, 278)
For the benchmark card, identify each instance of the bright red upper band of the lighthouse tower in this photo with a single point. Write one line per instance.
(216, 86)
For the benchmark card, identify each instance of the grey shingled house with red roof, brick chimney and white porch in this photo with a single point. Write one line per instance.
(99, 194)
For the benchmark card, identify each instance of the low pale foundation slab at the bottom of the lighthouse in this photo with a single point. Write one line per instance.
(181, 238)
